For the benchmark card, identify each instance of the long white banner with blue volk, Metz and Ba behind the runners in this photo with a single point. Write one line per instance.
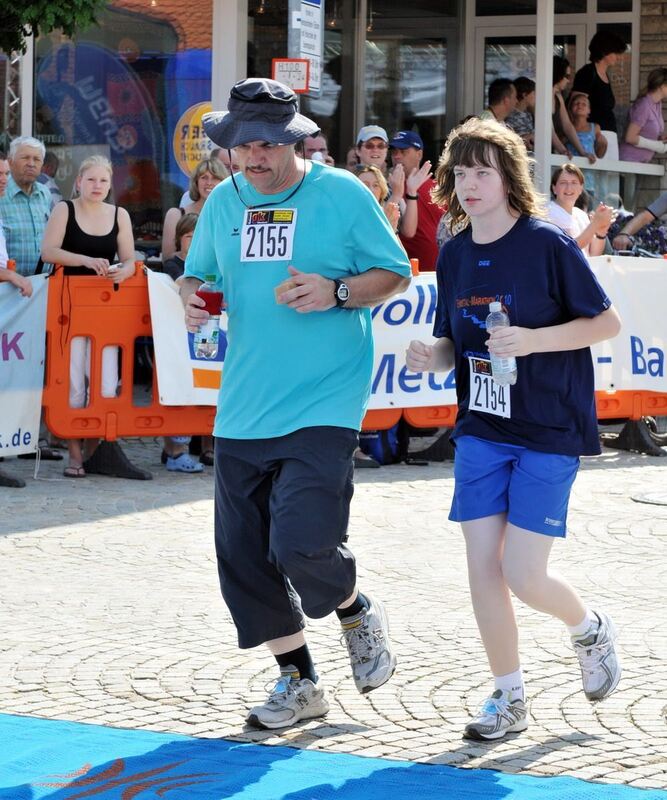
(634, 360)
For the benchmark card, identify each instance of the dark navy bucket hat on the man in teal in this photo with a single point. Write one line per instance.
(262, 110)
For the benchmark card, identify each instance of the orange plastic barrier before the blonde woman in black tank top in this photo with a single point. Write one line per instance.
(91, 307)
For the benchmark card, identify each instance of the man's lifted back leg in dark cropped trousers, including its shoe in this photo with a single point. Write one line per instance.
(309, 517)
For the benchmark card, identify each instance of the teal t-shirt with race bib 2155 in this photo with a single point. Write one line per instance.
(285, 370)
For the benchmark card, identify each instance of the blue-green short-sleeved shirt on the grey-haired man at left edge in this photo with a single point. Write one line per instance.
(24, 220)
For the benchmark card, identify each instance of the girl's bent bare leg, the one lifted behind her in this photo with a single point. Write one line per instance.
(525, 566)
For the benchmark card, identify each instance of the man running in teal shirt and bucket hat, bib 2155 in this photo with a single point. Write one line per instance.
(299, 275)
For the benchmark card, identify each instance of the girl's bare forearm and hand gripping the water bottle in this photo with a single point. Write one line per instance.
(573, 335)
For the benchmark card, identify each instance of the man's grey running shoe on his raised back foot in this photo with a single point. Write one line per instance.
(367, 638)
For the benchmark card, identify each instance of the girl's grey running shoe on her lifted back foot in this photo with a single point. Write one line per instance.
(600, 667)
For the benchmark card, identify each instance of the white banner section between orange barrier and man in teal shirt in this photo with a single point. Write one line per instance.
(182, 378)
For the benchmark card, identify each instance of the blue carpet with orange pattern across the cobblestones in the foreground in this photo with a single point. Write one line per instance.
(70, 761)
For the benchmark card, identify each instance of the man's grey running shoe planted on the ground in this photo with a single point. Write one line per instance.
(291, 699)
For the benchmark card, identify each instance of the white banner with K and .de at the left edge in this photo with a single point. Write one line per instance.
(22, 341)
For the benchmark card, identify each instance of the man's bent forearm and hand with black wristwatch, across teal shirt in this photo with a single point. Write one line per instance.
(314, 292)
